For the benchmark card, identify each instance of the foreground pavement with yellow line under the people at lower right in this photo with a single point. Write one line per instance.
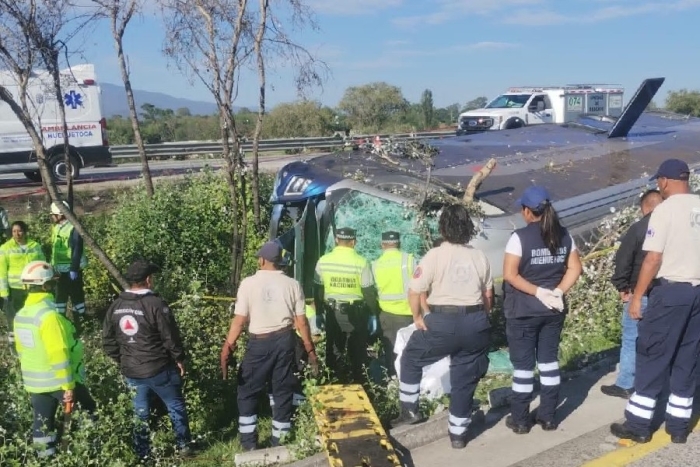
(583, 438)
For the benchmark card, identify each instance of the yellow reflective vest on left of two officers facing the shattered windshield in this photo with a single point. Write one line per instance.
(340, 274)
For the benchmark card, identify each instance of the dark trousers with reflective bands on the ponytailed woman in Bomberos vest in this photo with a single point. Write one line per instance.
(534, 340)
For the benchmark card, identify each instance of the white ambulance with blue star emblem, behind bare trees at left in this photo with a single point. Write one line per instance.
(87, 127)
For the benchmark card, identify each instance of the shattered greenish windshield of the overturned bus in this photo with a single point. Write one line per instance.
(370, 215)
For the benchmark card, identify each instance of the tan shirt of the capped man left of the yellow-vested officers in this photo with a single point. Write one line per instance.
(270, 300)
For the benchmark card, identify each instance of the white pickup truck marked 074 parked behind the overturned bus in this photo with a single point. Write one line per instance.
(533, 105)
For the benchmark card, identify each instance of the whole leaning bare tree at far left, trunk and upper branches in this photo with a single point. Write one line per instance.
(23, 47)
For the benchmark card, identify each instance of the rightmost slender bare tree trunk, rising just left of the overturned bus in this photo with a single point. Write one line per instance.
(255, 182)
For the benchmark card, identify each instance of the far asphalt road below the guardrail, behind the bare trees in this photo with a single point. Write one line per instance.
(16, 184)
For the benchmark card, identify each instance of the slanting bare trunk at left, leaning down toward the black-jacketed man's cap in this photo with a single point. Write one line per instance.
(6, 97)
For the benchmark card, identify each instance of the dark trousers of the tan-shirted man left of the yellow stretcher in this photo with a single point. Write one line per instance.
(268, 359)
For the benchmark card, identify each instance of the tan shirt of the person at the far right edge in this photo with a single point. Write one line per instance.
(674, 231)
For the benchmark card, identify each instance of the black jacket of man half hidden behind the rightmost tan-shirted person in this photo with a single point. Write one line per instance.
(629, 257)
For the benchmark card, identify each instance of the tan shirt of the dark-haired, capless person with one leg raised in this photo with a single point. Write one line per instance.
(455, 275)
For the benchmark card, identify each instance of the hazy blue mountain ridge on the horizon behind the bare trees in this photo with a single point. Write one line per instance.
(114, 101)
